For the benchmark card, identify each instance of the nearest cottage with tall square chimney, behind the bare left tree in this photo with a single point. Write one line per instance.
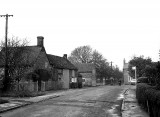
(27, 60)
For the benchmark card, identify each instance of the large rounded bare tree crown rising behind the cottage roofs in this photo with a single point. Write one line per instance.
(82, 54)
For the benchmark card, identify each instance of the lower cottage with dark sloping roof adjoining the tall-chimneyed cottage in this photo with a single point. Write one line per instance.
(65, 70)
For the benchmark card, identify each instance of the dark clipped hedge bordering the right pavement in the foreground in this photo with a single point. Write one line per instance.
(149, 98)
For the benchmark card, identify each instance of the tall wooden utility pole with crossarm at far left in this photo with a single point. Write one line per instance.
(6, 33)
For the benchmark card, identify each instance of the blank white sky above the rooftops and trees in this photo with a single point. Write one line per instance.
(117, 29)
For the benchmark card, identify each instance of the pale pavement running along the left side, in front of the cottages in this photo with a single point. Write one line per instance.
(20, 102)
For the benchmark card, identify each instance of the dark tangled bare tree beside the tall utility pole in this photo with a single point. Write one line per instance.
(15, 58)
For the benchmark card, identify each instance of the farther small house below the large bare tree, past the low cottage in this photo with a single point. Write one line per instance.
(88, 73)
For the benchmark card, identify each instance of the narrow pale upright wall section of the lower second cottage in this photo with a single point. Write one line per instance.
(65, 79)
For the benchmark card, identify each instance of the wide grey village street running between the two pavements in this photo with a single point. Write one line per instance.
(102, 101)
